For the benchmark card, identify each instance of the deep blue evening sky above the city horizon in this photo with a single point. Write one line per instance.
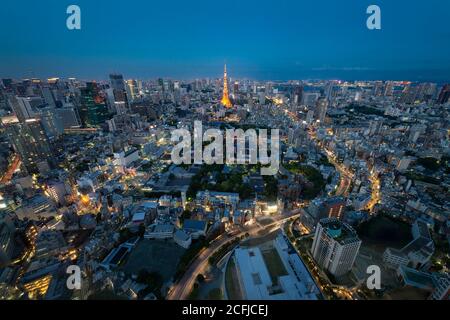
(259, 39)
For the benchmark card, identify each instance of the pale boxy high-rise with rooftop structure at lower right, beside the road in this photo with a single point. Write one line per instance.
(335, 246)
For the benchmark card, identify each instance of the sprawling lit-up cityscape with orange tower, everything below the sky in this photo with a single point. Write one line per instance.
(93, 185)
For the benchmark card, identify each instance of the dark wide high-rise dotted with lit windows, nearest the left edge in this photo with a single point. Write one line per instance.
(31, 143)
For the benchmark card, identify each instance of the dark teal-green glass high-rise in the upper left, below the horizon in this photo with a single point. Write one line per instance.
(93, 110)
